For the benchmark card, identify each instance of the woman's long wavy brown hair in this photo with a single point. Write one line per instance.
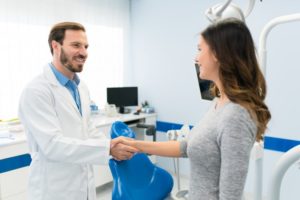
(240, 75)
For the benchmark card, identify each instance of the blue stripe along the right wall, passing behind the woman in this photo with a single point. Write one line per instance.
(270, 143)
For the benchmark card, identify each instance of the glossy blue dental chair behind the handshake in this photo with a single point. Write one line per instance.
(137, 178)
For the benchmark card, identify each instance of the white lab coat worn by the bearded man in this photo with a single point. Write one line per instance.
(62, 143)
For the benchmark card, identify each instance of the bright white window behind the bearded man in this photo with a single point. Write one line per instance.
(24, 44)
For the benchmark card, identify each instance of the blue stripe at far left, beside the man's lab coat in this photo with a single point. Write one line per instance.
(9, 164)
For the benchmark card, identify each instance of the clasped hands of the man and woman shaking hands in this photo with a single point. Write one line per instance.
(121, 148)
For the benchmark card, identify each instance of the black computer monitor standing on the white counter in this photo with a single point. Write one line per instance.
(122, 96)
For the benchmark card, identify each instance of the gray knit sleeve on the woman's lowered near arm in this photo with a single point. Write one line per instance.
(236, 139)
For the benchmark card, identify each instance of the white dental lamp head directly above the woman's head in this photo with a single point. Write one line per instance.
(228, 10)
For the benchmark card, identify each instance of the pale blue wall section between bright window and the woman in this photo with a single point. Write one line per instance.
(164, 41)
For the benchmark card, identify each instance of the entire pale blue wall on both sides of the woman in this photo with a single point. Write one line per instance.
(164, 39)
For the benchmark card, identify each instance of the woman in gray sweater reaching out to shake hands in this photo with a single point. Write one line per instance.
(219, 146)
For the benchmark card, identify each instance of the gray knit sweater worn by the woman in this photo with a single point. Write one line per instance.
(219, 149)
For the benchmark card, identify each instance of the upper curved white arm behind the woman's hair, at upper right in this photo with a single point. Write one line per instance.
(264, 34)
